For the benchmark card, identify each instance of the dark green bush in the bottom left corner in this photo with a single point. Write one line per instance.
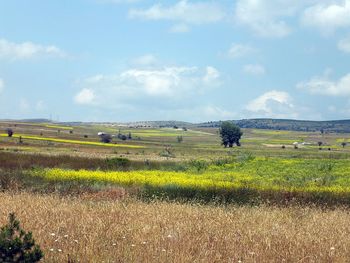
(16, 245)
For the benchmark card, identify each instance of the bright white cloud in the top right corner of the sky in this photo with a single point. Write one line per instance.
(328, 16)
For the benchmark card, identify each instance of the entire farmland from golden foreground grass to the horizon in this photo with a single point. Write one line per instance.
(176, 194)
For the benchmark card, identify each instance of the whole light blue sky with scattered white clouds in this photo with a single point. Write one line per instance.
(186, 60)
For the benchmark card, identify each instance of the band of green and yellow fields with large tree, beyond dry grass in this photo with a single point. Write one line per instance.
(272, 166)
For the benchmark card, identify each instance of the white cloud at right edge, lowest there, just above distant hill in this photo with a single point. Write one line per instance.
(324, 86)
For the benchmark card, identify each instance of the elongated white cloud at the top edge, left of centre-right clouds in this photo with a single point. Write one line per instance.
(184, 11)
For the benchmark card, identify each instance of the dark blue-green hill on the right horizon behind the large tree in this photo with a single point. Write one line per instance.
(342, 126)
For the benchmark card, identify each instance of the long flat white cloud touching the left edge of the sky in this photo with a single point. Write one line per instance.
(27, 50)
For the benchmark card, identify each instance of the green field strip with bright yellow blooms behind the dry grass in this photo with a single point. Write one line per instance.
(244, 178)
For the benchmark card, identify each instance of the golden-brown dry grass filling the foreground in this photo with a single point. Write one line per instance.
(127, 230)
